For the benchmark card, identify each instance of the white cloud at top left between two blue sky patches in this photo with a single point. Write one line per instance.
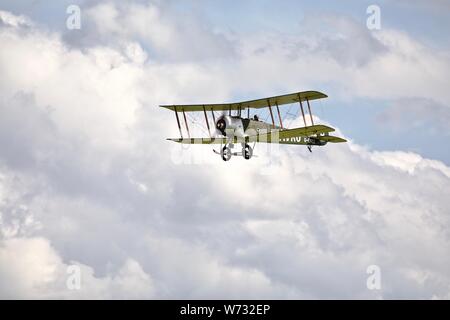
(156, 26)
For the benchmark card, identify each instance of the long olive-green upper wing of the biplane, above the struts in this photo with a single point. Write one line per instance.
(254, 104)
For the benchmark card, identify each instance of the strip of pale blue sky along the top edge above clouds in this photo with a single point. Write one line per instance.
(421, 19)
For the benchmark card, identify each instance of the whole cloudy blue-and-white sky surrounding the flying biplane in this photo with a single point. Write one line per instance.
(88, 181)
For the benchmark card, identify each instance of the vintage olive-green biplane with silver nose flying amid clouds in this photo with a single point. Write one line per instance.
(232, 127)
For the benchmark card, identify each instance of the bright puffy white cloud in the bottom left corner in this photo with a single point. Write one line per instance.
(31, 269)
